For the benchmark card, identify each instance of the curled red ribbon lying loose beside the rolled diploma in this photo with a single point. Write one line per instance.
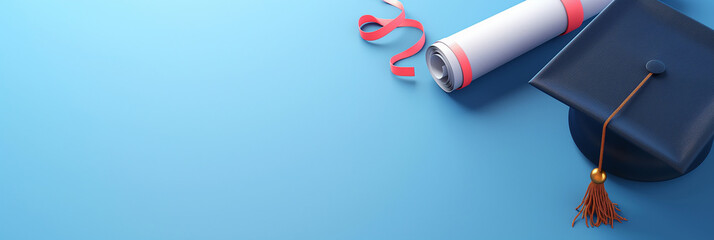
(387, 26)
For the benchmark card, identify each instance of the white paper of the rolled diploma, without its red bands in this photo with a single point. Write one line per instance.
(501, 38)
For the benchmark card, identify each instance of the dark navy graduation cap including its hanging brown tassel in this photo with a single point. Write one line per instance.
(639, 80)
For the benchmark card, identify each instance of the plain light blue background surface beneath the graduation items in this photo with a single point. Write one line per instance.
(274, 120)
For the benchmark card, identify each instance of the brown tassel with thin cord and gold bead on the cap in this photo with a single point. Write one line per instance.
(596, 205)
